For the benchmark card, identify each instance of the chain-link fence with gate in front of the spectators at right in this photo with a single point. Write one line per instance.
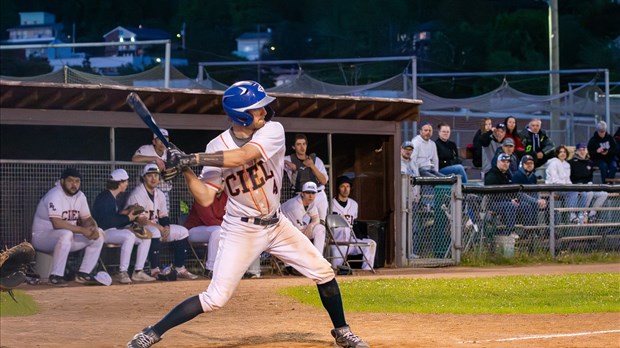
(447, 222)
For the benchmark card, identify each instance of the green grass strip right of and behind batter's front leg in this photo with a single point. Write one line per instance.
(560, 294)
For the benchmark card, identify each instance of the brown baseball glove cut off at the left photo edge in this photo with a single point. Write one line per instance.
(14, 265)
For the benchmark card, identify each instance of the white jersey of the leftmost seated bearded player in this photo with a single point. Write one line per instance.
(57, 204)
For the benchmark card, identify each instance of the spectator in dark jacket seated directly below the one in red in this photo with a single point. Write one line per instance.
(502, 204)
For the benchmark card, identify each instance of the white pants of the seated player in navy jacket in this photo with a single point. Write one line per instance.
(127, 240)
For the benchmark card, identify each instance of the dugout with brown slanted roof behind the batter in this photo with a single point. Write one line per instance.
(357, 136)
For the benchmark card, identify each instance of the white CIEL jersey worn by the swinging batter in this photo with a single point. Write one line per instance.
(253, 188)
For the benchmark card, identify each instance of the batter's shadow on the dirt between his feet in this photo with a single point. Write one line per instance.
(277, 338)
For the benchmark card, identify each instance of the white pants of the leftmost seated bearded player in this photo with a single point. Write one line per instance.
(61, 242)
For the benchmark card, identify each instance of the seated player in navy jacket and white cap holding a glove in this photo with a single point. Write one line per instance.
(105, 210)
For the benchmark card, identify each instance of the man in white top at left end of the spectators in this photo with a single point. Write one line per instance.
(424, 154)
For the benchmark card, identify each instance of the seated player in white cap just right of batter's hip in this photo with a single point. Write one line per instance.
(304, 214)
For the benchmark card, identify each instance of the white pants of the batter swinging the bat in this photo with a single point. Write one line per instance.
(241, 243)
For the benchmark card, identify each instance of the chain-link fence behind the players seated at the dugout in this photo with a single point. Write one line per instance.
(24, 182)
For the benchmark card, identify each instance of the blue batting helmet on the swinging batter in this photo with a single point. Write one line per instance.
(244, 96)
